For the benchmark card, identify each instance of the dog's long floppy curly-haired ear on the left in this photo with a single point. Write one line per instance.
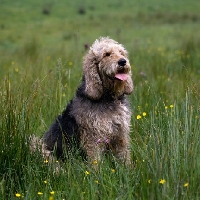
(93, 83)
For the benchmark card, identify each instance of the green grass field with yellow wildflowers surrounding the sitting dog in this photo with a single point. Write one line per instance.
(42, 44)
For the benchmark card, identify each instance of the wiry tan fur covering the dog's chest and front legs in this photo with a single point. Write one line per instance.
(107, 129)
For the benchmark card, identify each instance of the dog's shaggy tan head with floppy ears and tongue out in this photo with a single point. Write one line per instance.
(107, 69)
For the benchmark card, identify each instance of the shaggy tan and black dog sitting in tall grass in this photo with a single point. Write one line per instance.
(98, 118)
